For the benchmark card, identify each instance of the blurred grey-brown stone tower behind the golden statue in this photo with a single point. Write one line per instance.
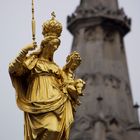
(107, 111)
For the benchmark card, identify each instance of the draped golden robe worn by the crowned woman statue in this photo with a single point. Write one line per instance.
(47, 110)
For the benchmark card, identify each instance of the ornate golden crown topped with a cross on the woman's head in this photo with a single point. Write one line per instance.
(52, 27)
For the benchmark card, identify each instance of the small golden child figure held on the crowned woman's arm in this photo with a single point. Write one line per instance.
(72, 87)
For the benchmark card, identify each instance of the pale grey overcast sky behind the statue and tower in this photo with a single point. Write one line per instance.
(15, 33)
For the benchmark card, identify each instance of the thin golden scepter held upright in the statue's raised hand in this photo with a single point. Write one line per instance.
(33, 25)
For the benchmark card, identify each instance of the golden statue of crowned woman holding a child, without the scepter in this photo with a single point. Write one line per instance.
(46, 93)
